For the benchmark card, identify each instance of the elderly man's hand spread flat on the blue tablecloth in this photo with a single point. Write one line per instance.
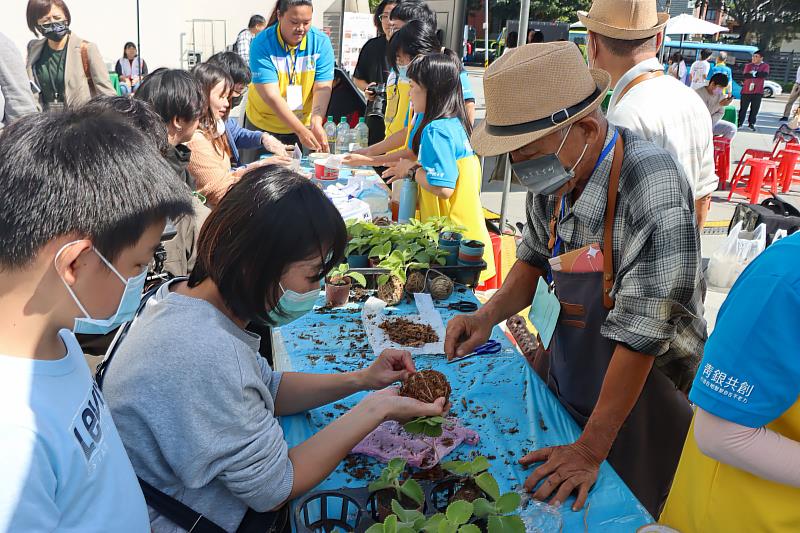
(566, 469)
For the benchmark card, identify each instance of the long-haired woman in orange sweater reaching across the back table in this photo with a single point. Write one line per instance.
(210, 161)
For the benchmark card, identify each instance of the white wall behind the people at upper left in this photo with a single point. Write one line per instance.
(110, 23)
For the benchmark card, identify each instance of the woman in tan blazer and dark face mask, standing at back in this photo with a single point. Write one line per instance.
(67, 70)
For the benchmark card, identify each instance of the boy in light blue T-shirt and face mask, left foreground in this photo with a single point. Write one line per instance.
(81, 219)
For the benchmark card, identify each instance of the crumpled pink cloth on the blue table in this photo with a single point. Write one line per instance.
(390, 440)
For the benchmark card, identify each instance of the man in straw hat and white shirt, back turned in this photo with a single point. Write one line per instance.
(624, 36)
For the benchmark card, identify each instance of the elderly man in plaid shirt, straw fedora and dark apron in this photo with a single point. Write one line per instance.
(611, 223)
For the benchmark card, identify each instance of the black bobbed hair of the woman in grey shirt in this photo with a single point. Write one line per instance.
(245, 262)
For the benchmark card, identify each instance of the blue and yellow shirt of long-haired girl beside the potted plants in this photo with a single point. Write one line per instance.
(448, 160)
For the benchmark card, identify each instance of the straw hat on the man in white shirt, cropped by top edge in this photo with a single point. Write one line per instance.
(627, 20)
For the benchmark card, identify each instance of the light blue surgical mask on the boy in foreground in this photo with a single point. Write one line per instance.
(126, 310)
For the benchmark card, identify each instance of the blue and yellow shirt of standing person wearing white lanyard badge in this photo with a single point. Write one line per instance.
(273, 61)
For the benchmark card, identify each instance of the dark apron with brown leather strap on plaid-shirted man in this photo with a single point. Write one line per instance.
(646, 451)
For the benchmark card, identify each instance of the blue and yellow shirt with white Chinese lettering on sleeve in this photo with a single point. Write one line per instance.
(749, 375)
